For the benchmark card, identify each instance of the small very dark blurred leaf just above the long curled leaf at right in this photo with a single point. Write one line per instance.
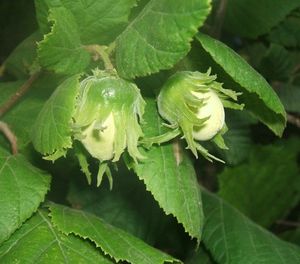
(277, 64)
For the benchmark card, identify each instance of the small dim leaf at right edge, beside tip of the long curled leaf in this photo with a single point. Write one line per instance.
(290, 97)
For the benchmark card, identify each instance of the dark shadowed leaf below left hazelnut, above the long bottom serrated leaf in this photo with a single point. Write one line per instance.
(127, 206)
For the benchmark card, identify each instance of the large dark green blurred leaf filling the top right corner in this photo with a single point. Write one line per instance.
(252, 18)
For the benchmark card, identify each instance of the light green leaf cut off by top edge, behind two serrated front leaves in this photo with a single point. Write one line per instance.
(99, 22)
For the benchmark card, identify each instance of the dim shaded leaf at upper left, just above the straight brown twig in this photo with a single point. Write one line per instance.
(20, 60)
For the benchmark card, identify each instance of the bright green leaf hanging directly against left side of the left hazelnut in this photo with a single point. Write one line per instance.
(52, 129)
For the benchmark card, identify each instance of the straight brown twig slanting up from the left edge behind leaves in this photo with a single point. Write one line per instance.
(21, 91)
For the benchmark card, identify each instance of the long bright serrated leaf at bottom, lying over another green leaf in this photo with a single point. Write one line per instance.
(113, 241)
